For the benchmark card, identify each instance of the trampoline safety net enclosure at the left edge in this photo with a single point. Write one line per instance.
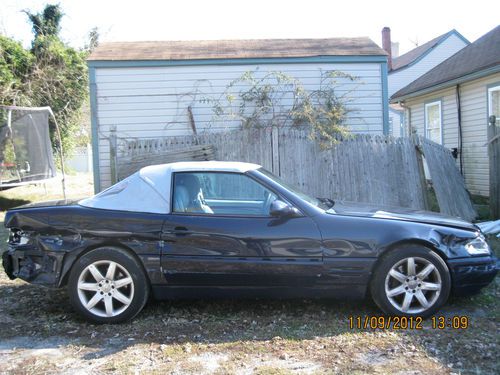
(25, 147)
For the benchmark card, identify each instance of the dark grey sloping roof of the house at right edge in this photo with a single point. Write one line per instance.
(479, 56)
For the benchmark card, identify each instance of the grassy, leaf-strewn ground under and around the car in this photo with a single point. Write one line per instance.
(41, 333)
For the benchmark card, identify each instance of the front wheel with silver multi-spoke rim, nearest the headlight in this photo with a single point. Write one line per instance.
(411, 281)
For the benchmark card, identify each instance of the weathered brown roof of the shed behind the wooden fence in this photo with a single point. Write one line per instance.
(231, 49)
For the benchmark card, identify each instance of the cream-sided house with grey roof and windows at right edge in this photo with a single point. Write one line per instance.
(469, 79)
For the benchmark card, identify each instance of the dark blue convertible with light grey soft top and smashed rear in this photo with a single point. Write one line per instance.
(218, 229)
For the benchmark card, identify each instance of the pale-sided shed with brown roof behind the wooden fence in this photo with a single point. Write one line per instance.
(144, 89)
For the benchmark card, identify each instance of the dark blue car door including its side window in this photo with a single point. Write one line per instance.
(220, 233)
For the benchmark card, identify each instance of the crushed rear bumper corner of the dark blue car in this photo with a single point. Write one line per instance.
(32, 264)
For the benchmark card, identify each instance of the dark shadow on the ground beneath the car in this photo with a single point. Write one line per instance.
(40, 312)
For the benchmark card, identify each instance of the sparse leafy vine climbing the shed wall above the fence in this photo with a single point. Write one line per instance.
(277, 99)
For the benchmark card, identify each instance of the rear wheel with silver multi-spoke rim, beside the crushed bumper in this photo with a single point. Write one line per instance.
(107, 285)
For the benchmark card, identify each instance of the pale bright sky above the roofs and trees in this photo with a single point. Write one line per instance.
(132, 20)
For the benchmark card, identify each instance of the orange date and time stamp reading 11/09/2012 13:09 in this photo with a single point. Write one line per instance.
(404, 322)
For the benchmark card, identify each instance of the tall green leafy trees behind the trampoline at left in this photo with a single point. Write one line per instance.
(50, 74)
